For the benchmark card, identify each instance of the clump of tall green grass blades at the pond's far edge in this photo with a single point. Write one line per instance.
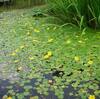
(79, 12)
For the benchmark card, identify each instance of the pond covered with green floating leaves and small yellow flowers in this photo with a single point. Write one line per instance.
(39, 60)
